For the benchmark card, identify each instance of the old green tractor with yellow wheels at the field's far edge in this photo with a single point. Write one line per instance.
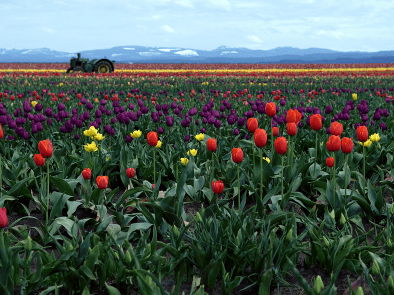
(83, 65)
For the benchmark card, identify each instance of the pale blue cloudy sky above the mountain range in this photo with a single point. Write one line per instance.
(77, 25)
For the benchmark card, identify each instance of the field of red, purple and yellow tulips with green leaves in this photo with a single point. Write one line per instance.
(197, 179)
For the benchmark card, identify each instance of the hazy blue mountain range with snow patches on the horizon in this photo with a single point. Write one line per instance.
(222, 54)
